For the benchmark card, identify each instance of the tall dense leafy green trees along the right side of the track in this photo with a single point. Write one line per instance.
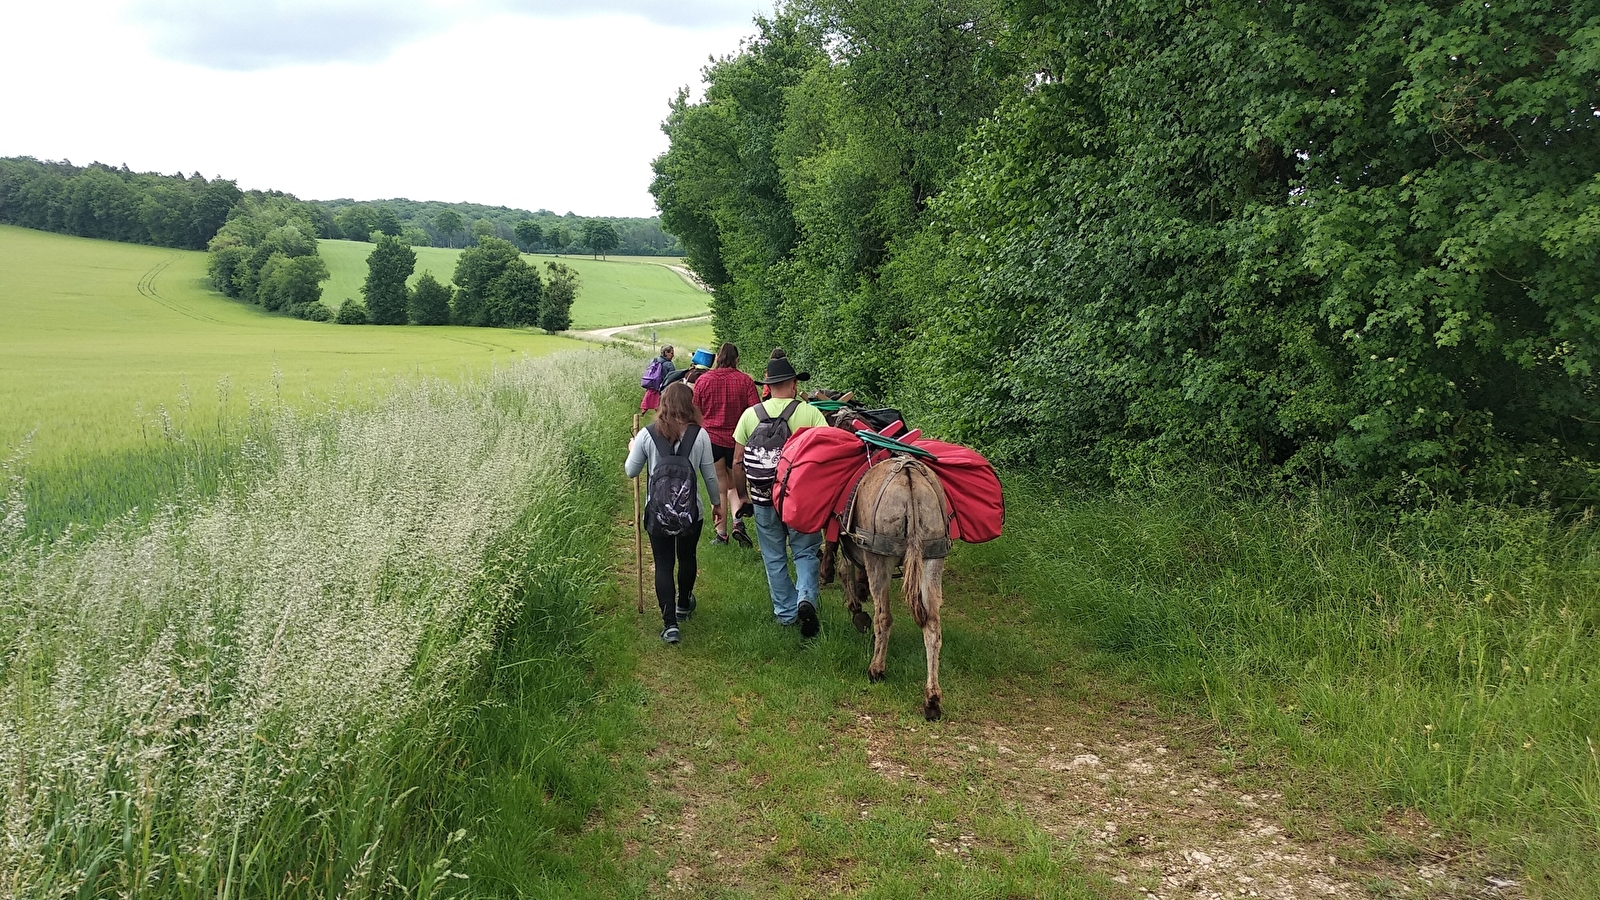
(1342, 244)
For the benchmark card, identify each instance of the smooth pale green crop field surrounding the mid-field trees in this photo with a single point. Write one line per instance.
(105, 344)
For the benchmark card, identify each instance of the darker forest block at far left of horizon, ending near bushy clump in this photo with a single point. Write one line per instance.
(114, 204)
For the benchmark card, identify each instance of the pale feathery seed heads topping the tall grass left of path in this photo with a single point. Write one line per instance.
(196, 653)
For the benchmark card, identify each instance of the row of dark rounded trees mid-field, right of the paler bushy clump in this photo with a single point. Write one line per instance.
(494, 287)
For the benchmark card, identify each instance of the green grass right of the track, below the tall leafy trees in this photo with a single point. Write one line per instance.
(1450, 661)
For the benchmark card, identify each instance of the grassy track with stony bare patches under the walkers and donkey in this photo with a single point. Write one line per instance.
(764, 768)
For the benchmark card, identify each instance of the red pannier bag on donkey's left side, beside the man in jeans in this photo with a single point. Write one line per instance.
(815, 470)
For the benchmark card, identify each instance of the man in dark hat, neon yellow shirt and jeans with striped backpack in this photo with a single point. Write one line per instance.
(758, 441)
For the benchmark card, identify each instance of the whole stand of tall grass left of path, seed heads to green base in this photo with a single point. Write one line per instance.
(260, 694)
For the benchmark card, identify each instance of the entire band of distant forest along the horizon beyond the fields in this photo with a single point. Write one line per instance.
(186, 212)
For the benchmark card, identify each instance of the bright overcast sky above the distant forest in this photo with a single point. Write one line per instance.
(521, 103)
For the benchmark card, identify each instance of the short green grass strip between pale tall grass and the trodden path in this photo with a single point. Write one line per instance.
(537, 758)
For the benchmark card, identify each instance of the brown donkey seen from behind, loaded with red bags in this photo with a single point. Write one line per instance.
(897, 518)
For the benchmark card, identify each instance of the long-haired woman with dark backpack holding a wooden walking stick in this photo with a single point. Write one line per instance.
(679, 452)
